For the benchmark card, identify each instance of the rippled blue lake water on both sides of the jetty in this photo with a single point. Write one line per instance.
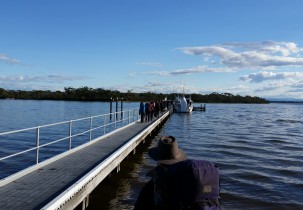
(258, 148)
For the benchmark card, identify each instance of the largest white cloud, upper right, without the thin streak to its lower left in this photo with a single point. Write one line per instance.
(260, 55)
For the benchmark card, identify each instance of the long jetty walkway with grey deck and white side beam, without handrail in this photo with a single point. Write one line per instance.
(66, 180)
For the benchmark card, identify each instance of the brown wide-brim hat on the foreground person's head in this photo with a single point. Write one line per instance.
(167, 151)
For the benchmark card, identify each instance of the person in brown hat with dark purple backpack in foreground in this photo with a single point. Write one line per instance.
(177, 182)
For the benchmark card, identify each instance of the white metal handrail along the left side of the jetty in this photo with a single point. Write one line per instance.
(126, 118)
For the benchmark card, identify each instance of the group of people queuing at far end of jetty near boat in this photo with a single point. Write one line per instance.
(151, 109)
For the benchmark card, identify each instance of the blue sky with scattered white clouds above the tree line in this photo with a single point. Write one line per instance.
(245, 47)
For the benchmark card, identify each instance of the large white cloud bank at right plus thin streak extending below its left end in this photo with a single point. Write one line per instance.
(236, 56)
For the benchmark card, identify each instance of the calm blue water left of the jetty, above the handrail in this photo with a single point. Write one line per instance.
(19, 114)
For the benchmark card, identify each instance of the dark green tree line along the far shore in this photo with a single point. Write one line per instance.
(100, 94)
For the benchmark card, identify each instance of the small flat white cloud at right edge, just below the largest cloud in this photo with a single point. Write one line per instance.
(263, 76)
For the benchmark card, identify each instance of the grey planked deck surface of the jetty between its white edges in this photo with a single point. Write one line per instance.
(36, 189)
